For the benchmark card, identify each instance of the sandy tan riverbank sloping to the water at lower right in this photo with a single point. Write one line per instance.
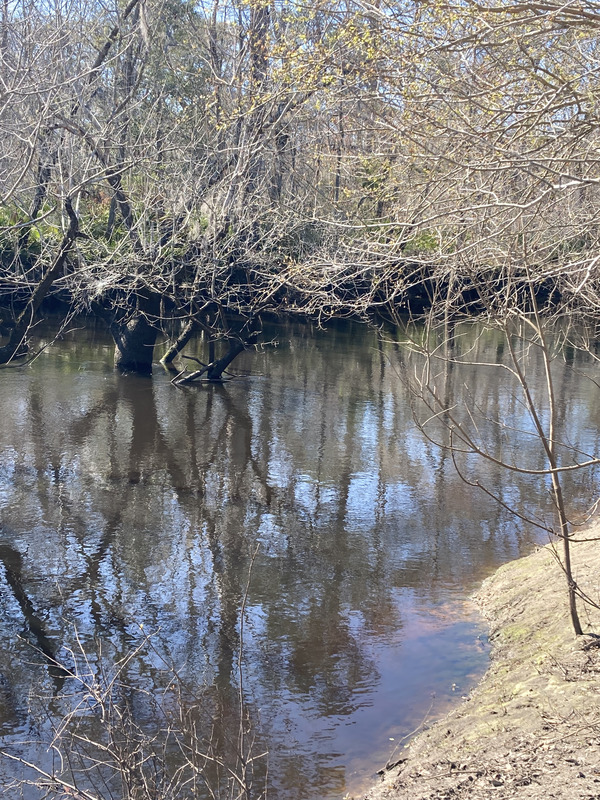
(531, 728)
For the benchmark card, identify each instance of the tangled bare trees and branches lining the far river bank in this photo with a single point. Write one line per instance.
(169, 165)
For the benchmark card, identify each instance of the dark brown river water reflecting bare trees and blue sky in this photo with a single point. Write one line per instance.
(299, 498)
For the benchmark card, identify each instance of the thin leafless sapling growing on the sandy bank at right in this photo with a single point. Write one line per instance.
(462, 423)
